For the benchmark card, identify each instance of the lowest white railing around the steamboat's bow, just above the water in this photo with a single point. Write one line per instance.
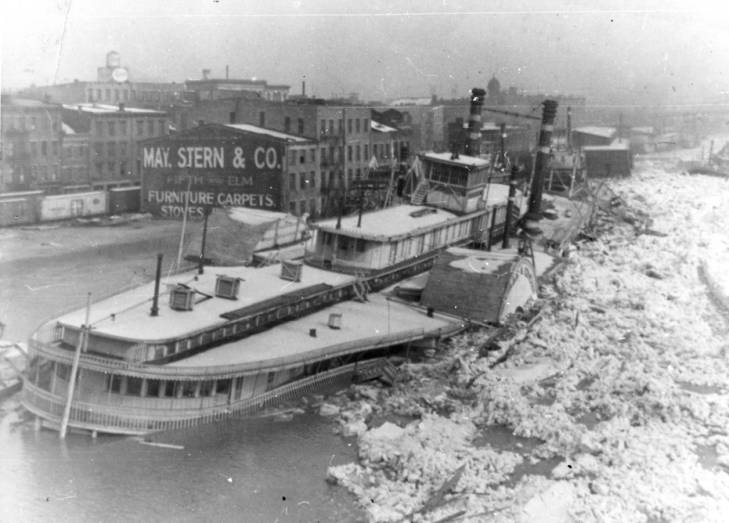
(140, 420)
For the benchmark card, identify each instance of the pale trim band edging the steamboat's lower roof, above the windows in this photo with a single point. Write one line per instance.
(222, 371)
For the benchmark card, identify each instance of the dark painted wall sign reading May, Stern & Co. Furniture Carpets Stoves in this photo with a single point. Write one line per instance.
(196, 172)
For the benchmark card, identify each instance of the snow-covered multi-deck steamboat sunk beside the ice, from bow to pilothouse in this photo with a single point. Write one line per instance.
(220, 341)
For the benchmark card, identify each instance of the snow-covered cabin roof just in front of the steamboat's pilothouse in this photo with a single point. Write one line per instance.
(388, 222)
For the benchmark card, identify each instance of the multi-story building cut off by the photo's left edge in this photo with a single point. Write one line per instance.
(31, 144)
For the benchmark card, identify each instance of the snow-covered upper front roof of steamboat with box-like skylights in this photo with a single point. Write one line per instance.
(131, 309)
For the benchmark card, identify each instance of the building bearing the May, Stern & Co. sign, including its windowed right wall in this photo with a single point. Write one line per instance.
(238, 165)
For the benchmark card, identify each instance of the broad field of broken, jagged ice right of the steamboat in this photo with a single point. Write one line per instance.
(612, 407)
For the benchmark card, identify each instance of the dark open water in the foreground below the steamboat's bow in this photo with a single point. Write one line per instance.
(256, 470)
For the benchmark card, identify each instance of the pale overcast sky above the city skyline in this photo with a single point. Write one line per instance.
(611, 52)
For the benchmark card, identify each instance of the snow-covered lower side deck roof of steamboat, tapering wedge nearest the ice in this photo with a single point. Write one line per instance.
(363, 325)
